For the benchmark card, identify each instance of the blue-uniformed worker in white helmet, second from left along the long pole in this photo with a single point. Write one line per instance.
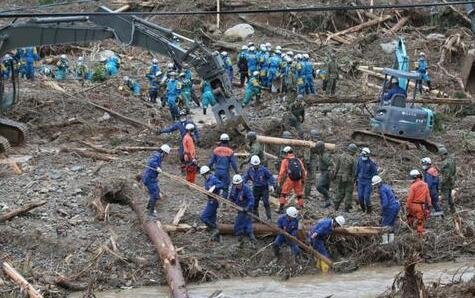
(209, 214)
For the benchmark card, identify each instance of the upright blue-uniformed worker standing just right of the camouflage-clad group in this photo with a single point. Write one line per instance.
(365, 170)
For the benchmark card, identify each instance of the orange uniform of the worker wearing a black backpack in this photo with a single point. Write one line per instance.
(288, 184)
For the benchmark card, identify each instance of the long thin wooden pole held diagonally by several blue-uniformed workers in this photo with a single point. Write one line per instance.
(303, 245)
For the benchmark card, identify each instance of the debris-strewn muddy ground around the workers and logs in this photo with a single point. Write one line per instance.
(63, 238)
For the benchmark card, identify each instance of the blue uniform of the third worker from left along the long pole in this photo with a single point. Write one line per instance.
(243, 198)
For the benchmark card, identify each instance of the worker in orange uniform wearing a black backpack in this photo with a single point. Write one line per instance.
(291, 177)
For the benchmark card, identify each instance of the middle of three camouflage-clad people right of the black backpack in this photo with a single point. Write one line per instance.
(325, 166)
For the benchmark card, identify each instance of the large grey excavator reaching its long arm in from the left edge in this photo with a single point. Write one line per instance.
(128, 30)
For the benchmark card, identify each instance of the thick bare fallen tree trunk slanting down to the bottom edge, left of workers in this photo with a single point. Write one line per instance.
(165, 249)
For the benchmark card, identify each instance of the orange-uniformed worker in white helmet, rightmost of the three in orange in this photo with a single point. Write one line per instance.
(418, 201)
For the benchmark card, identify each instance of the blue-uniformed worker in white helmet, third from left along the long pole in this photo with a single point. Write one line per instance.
(242, 196)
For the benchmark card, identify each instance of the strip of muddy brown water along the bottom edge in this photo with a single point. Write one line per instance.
(366, 282)
